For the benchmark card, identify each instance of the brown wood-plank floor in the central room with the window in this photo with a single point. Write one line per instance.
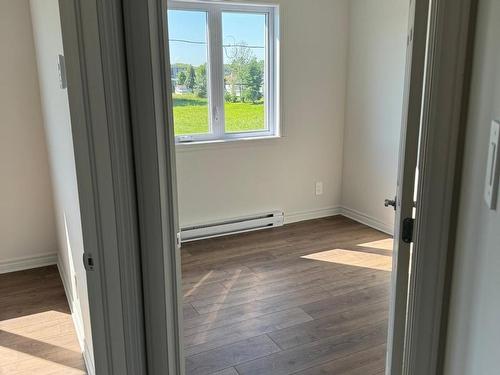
(308, 298)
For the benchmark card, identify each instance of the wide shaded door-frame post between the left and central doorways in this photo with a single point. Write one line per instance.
(124, 167)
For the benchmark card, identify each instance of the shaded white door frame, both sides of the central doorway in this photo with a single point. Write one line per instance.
(125, 161)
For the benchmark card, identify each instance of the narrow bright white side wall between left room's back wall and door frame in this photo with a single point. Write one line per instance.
(48, 43)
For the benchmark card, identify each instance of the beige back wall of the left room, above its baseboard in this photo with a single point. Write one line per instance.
(27, 224)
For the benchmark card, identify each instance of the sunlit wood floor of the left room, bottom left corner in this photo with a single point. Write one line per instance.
(37, 335)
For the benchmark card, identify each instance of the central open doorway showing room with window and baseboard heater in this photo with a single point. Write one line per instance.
(287, 119)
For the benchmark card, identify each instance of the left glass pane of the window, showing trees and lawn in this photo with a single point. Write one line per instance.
(189, 71)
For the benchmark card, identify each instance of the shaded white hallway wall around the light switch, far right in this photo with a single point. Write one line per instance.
(474, 329)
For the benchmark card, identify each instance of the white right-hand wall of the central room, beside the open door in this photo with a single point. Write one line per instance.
(376, 67)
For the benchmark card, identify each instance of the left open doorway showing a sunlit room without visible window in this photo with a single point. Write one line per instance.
(44, 315)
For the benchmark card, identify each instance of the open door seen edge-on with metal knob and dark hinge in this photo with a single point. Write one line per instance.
(404, 202)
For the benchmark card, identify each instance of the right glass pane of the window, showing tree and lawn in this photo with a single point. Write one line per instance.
(244, 45)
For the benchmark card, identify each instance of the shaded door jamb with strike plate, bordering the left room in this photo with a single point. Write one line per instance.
(98, 99)
